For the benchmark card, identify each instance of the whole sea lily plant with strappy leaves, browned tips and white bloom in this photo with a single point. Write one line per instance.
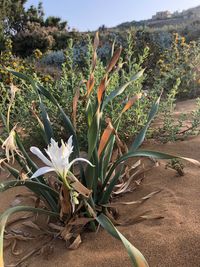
(87, 194)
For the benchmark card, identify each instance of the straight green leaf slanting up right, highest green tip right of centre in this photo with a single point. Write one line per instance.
(121, 89)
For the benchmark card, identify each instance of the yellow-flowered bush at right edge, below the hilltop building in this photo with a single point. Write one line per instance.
(180, 61)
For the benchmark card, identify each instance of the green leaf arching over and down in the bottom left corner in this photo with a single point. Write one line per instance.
(5, 215)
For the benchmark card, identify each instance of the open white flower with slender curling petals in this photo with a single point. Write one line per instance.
(58, 158)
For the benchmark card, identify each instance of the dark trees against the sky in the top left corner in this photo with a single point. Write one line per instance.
(29, 29)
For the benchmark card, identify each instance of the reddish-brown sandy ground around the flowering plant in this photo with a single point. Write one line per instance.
(173, 241)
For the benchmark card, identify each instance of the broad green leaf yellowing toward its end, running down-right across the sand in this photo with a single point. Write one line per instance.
(136, 257)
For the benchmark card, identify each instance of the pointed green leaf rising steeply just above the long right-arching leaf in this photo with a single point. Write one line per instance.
(140, 137)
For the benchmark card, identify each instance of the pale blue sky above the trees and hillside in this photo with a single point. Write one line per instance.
(90, 14)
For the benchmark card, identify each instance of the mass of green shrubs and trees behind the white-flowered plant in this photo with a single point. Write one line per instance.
(61, 59)
